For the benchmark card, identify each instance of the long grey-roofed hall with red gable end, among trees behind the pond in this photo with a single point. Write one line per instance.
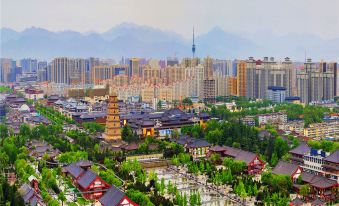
(254, 164)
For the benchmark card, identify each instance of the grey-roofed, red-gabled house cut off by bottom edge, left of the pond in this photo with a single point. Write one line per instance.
(115, 197)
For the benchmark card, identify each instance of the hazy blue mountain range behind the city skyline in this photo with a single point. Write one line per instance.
(128, 39)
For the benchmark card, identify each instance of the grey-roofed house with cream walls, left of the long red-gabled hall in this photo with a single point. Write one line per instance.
(195, 147)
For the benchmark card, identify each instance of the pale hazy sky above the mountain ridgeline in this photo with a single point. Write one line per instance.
(247, 17)
